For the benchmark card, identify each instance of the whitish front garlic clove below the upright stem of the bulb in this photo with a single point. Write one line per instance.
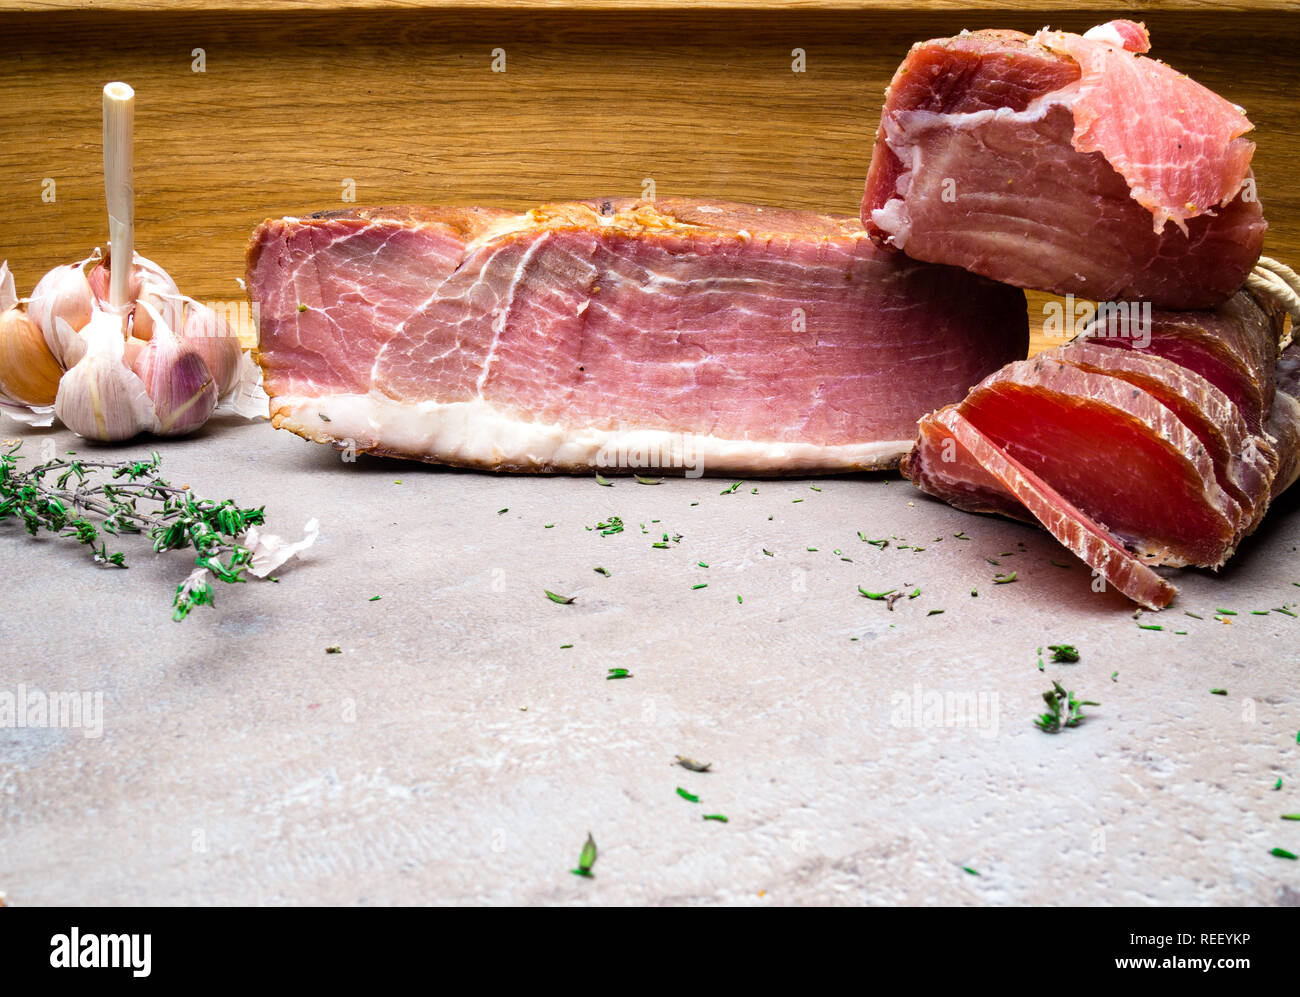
(99, 398)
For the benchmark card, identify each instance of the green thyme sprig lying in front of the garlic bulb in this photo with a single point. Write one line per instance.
(92, 500)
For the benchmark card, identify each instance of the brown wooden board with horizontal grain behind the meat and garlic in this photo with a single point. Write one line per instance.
(404, 102)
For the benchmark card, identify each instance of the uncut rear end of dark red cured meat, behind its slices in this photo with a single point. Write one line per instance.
(1234, 348)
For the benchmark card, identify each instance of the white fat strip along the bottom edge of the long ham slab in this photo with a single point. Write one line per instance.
(478, 432)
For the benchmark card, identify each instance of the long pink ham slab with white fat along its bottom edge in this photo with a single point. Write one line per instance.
(617, 335)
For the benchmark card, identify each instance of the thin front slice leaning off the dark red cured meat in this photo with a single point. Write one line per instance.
(1076, 530)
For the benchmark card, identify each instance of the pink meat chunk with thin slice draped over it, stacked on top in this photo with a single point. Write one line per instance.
(1064, 163)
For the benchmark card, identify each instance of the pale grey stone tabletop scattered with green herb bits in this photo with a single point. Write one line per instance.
(457, 752)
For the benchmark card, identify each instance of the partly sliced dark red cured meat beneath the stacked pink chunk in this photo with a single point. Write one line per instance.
(1134, 457)
